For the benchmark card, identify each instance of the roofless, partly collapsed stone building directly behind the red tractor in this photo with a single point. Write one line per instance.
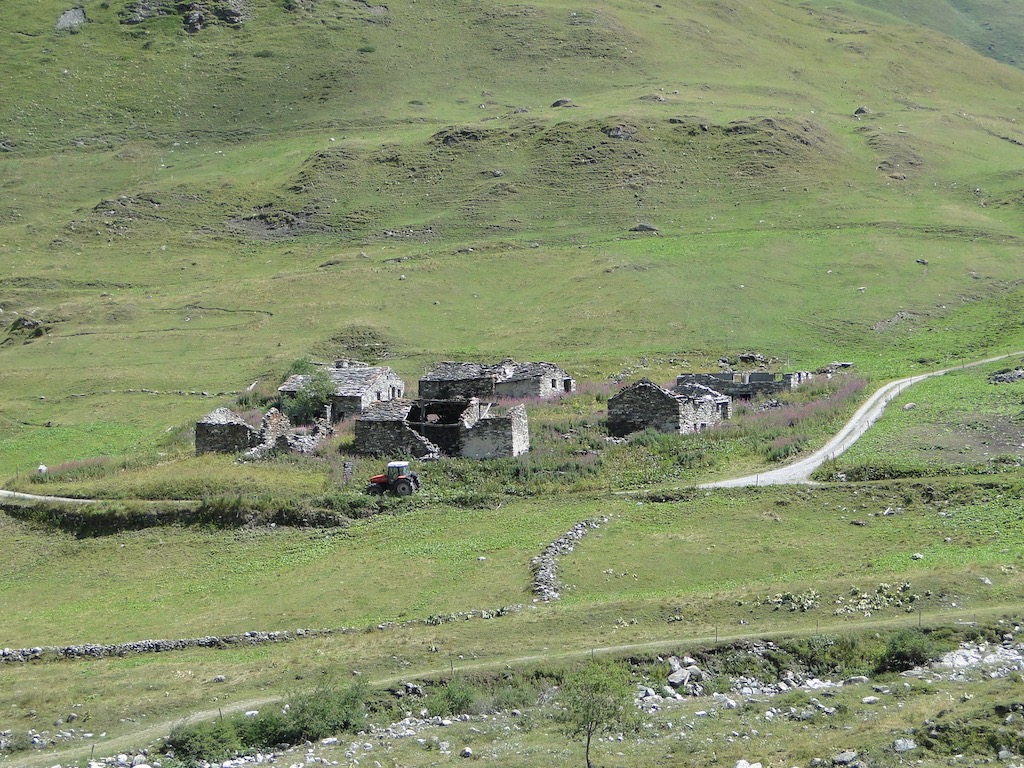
(434, 429)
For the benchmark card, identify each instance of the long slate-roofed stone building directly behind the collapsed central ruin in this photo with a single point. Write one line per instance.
(506, 379)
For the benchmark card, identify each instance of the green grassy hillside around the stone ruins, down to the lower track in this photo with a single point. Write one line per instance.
(186, 214)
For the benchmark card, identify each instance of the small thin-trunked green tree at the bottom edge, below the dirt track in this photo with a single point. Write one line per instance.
(598, 699)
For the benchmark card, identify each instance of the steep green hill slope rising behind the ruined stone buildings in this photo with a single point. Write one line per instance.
(187, 211)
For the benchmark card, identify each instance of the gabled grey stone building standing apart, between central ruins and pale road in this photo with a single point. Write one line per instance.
(647, 406)
